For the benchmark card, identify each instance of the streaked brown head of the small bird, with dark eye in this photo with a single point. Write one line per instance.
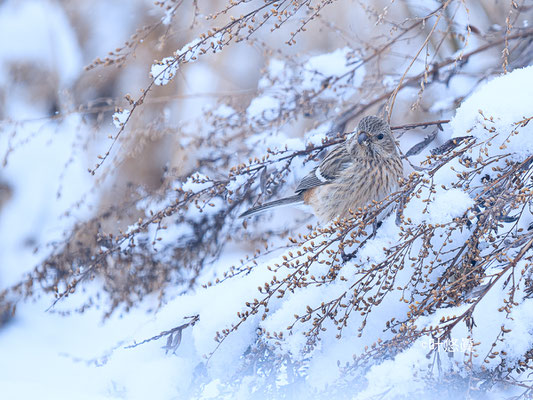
(373, 137)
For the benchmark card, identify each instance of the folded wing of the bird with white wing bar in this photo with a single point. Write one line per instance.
(329, 169)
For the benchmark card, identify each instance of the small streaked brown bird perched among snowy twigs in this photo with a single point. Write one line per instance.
(363, 168)
